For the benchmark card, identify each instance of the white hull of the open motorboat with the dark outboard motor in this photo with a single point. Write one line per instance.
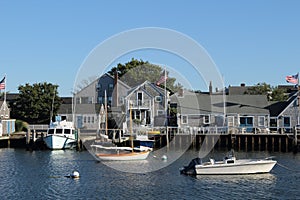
(240, 167)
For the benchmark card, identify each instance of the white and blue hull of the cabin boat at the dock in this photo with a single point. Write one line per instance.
(55, 142)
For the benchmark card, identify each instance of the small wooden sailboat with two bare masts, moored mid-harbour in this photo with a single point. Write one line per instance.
(110, 152)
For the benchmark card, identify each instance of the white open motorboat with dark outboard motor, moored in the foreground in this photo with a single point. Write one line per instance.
(229, 165)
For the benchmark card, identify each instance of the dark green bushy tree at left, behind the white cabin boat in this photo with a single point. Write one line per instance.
(36, 103)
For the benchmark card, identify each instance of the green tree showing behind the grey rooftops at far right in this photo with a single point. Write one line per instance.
(273, 93)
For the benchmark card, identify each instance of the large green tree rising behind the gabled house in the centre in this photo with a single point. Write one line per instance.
(136, 72)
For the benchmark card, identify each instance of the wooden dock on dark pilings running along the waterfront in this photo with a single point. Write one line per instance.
(240, 141)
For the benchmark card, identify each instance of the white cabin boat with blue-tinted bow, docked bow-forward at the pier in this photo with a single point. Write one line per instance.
(61, 135)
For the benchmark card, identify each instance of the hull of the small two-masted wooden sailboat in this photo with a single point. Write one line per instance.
(124, 156)
